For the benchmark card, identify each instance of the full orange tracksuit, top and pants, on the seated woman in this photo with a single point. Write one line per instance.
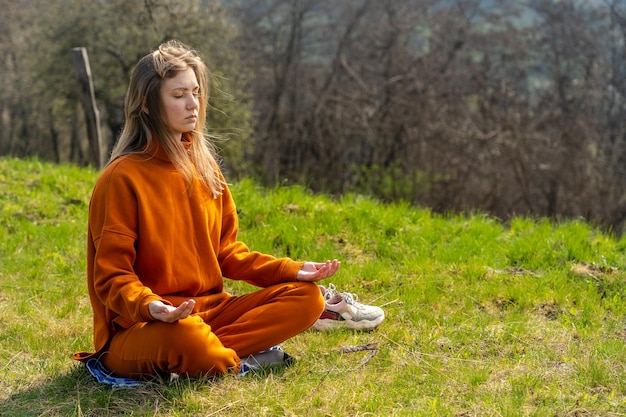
(150, 239)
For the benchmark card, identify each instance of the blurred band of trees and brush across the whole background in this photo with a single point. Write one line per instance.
(510, 107)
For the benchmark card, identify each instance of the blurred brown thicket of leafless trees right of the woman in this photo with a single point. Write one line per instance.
(458, 105)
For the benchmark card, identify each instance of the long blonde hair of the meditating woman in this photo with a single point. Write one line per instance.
(144, 119)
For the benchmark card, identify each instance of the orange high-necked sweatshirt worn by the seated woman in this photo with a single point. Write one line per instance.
(150, 239)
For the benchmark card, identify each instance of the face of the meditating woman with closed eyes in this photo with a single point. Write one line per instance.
(179, 96)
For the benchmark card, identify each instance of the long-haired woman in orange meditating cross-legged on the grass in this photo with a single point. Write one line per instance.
(163, 234)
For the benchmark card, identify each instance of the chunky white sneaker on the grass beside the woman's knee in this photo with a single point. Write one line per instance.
(343, 310)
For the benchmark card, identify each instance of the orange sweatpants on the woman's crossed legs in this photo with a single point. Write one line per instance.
(211, 342)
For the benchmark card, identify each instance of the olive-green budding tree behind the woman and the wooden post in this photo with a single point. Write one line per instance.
(116, 34)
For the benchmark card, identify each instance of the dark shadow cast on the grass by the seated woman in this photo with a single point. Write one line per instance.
(77, 393)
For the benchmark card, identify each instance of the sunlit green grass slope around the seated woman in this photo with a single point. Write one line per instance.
(482, 318)
